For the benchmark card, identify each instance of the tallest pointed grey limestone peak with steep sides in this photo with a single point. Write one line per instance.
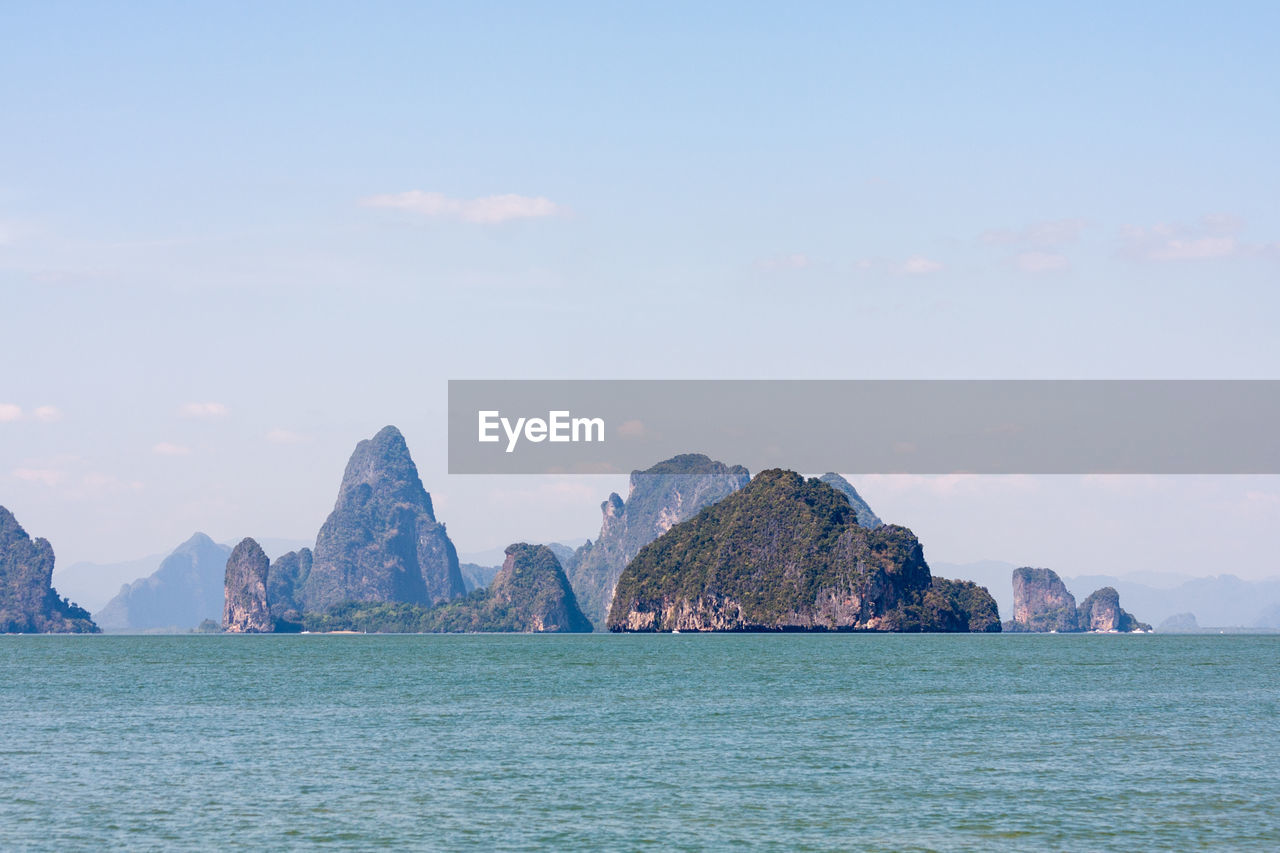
(382, 542)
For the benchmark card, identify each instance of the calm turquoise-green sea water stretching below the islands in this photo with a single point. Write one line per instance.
(671, 742)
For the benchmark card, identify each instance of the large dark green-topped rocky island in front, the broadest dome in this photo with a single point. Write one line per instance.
(788, 554)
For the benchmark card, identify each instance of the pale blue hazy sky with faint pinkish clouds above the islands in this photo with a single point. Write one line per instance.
(235, 241)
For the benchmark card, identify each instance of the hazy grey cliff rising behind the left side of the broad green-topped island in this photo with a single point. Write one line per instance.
(659, 499)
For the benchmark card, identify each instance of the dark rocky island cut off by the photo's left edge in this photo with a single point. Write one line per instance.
(29, 604)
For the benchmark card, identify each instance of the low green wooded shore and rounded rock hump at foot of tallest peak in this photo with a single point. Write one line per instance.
(531, 594)
